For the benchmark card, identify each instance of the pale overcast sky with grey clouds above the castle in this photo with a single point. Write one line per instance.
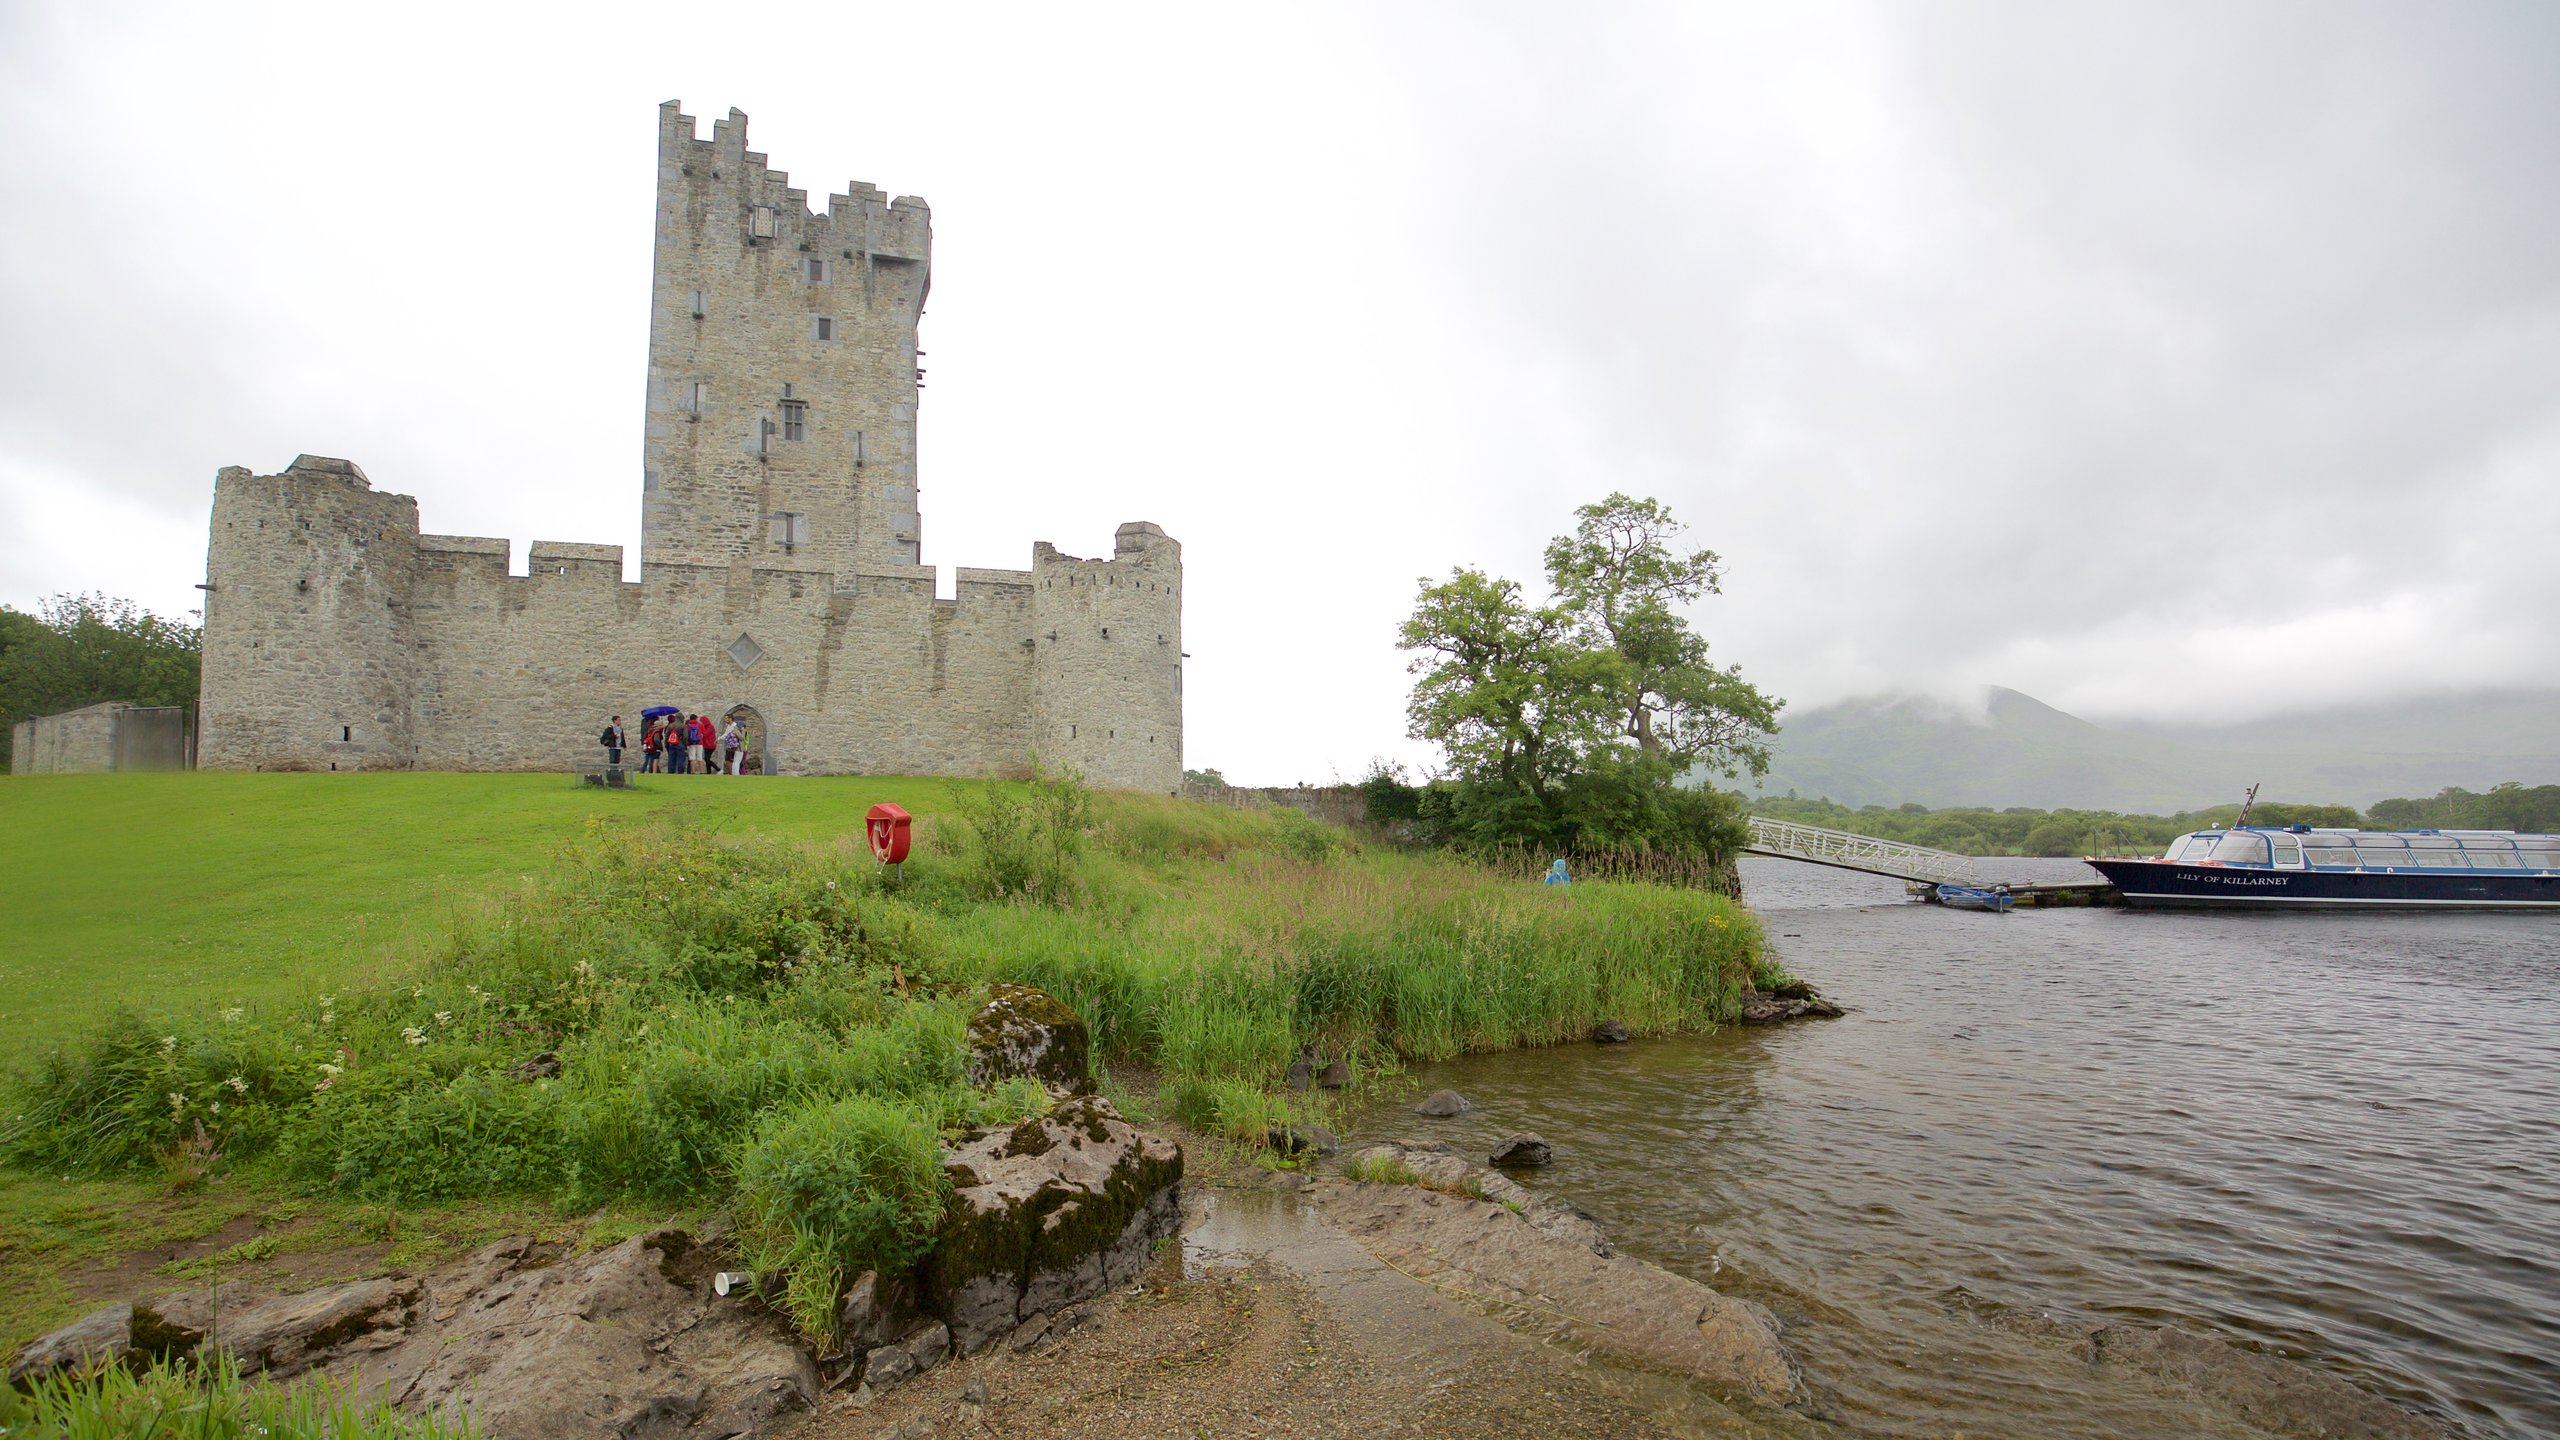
(2139, 357)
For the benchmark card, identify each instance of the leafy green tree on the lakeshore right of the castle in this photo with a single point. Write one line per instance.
(1571, 724)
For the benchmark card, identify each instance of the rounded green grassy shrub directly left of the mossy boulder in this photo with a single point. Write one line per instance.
(836, 1188)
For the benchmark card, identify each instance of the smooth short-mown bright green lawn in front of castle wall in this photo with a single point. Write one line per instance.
(201, 890)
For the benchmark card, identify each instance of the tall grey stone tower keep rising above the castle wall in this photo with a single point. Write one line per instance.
(713, 475)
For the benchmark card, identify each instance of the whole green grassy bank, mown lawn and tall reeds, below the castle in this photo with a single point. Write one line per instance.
(291, 1021)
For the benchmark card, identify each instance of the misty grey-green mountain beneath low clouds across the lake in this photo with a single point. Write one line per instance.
(2021, 752)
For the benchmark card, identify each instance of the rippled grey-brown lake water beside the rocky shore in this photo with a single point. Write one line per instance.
(2323, 1136)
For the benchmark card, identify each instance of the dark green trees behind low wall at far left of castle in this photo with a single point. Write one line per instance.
(83, 650)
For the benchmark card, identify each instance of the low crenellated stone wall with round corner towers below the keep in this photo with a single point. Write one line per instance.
(337, 639)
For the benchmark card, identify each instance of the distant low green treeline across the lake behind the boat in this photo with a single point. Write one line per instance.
(2098, 831)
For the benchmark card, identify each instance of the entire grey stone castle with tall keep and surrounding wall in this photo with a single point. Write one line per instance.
(780, 562)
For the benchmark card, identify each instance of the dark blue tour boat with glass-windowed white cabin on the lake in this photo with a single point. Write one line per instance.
(2318, 867)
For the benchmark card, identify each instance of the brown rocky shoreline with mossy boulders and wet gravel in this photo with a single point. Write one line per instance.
(1079, 1288)
